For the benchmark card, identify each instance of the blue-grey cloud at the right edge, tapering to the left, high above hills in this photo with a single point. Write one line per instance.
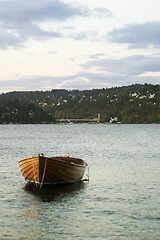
(137, 35)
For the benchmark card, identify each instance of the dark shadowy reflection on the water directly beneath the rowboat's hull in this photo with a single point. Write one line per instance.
(55, 192)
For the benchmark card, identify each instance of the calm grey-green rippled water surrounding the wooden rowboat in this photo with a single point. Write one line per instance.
(121, 200)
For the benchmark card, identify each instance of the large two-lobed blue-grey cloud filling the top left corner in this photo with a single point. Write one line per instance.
(21, 20)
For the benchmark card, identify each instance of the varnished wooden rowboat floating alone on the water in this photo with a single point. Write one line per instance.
(52, 170)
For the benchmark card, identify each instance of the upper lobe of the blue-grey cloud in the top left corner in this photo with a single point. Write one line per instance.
(18, 12)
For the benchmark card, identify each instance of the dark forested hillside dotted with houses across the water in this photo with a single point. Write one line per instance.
(128, 104)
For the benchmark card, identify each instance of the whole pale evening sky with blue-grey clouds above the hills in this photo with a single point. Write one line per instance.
(77, 44)
